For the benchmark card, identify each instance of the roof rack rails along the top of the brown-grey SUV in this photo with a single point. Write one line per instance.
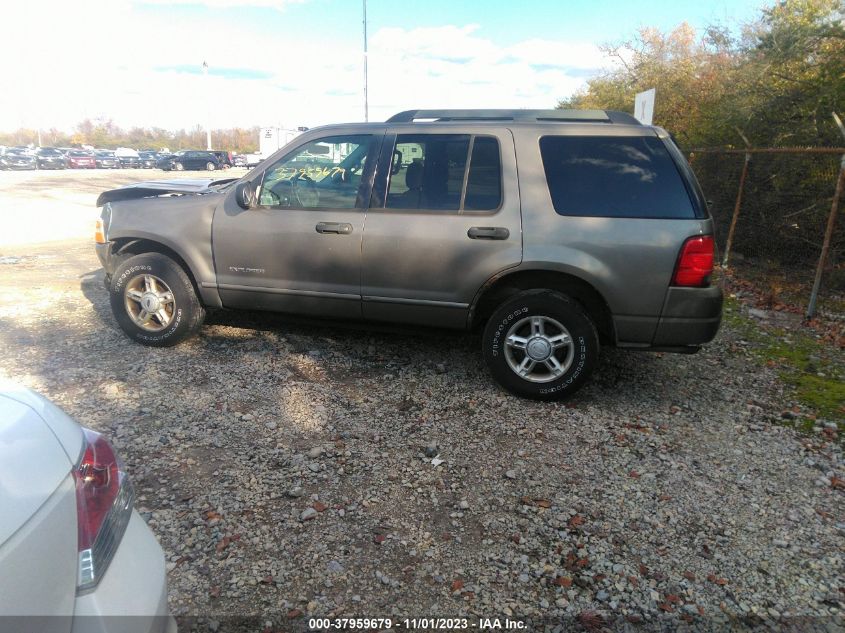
(584, 116)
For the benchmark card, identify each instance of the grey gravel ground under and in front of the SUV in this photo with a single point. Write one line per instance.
(290, 469)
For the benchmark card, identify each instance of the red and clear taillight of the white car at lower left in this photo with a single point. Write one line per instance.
(104, 500)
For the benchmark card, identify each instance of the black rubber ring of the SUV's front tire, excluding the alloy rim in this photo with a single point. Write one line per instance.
(180, 285)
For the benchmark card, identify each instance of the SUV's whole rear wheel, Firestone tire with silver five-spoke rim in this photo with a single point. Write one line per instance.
(541, 322)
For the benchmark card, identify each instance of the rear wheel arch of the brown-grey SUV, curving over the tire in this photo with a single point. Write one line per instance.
(499, 289)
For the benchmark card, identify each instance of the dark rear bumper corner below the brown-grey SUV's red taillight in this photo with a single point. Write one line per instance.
(690, 317)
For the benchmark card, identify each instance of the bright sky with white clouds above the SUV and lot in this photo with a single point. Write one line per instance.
(300, 62)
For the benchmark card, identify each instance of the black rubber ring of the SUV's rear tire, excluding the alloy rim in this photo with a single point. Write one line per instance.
(549, 304)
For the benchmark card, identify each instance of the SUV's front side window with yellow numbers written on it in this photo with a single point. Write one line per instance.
(324, 174)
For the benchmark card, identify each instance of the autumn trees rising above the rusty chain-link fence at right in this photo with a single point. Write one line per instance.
(777, 80)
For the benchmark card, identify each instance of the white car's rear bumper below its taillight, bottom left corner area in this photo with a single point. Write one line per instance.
(132, 596)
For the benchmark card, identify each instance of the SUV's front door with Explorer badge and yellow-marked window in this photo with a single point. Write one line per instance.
(299, 250)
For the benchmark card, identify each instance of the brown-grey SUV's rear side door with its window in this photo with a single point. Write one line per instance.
(445, 218)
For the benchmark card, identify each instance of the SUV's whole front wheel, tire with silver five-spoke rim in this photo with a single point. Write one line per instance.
(130, 297)
